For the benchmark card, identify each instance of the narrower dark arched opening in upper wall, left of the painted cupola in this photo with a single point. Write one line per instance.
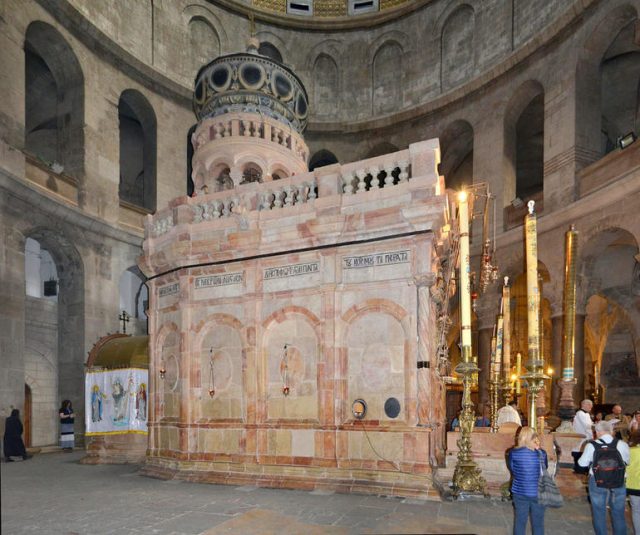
(138, 149)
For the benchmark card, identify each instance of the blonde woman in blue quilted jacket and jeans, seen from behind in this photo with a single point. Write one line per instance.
(524, 463)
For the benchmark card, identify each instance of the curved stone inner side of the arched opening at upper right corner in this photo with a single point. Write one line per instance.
(589, 114)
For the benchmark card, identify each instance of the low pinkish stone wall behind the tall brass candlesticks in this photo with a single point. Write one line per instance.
(490, 454)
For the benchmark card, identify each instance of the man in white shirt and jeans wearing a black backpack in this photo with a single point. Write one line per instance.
(606, 458)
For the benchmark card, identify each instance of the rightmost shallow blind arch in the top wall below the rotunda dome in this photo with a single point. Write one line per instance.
(457, 58)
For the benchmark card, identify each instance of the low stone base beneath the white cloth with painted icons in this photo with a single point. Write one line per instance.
(116, 449)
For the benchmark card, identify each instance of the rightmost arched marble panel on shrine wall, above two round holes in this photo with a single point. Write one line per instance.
(375, 353)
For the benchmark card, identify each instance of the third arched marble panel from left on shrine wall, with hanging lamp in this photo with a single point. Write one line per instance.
(291, 352)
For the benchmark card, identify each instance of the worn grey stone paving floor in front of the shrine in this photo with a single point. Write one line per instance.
(54, 494)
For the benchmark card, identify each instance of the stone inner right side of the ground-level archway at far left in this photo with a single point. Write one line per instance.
(70, 315)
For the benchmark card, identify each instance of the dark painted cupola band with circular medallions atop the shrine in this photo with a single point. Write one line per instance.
(248, 82)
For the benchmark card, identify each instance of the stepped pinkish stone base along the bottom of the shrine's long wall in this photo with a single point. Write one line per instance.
(378, 478)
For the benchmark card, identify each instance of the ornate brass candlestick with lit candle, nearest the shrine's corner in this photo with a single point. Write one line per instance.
(467, 477)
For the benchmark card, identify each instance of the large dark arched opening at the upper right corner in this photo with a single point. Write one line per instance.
(610, 56)
